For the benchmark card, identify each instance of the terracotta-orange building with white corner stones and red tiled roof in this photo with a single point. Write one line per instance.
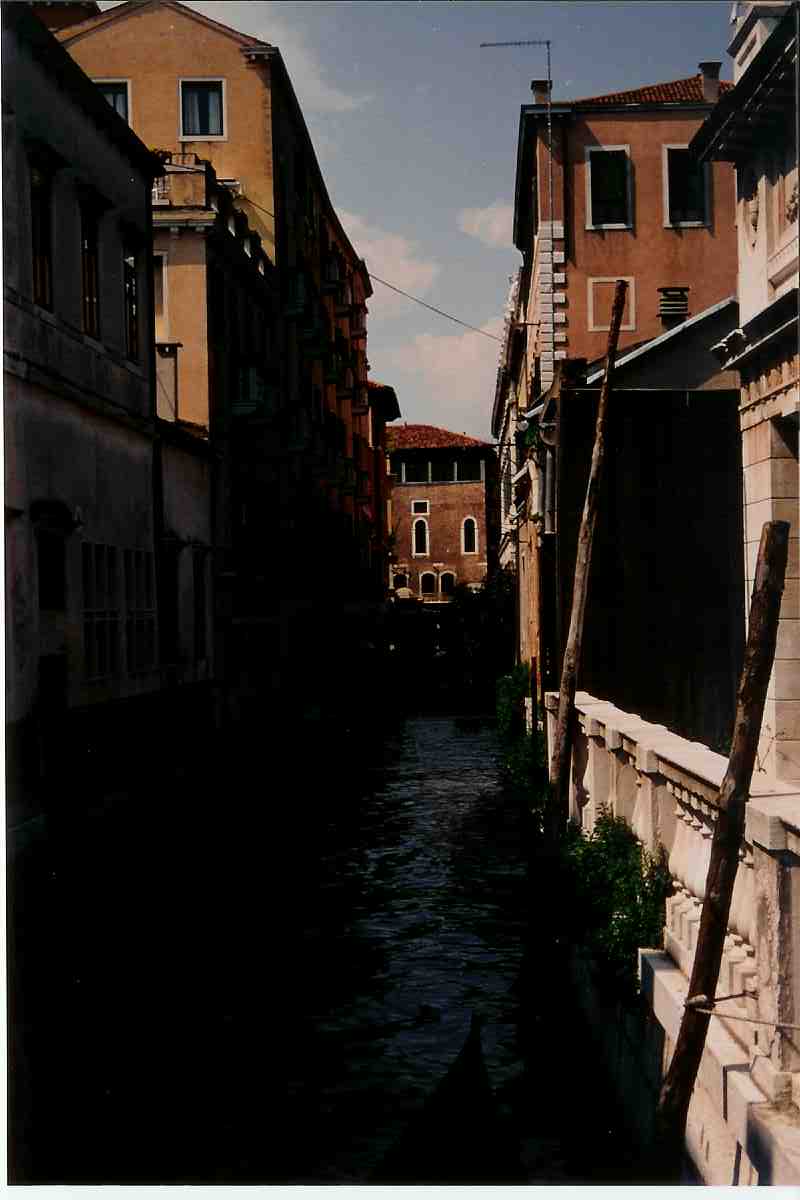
(616, 199)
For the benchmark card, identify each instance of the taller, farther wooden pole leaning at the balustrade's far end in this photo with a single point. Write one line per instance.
(562, 749)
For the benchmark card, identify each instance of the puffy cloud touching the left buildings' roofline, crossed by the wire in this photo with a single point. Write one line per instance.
(393, 257)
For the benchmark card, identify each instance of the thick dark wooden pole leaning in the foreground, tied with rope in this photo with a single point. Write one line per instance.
(760, 653)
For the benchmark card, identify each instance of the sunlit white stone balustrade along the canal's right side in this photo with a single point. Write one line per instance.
(666, 789)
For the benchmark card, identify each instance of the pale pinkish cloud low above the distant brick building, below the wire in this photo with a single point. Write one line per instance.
(455, 373)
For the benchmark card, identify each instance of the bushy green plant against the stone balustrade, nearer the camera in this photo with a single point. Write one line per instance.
(616, 893)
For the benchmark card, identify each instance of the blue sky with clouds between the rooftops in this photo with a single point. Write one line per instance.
(416, 130)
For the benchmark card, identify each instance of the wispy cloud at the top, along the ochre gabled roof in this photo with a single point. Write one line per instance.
(263, 20)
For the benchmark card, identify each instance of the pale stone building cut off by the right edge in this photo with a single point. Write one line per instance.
(753, 131)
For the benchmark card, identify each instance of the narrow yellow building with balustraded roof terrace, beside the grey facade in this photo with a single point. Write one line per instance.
(219, 380)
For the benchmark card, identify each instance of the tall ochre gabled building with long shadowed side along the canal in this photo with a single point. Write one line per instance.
(190, 87)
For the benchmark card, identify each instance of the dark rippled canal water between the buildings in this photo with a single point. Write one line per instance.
(262, 977)
